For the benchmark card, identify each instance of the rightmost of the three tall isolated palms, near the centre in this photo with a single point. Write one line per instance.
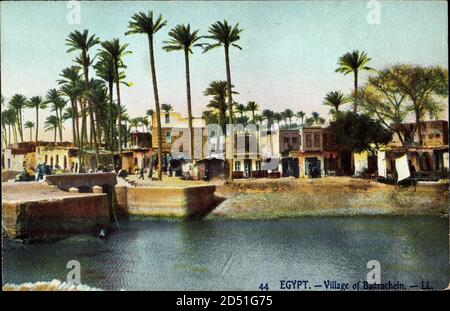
(225, 35)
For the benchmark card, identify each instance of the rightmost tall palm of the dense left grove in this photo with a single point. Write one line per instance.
(116, 52)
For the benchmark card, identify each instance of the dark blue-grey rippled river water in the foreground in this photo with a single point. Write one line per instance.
(240, 255)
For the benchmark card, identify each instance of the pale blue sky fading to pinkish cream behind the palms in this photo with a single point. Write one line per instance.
(289, 49)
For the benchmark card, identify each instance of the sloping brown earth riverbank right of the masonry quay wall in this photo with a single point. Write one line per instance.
(330, 196)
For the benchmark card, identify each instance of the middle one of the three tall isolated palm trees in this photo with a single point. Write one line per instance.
(182, 39)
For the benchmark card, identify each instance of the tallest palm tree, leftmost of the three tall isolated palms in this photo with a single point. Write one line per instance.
(142, 23)
